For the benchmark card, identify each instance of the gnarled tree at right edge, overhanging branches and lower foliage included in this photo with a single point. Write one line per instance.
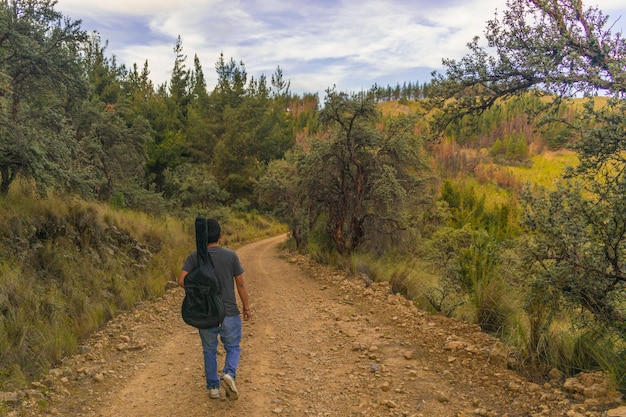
(559, 49)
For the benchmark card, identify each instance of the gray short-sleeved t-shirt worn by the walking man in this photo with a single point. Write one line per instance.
(227, 267)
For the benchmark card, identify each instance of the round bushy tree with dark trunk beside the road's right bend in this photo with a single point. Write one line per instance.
(364, 181)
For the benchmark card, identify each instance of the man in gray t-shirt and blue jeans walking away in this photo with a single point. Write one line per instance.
(230, 274)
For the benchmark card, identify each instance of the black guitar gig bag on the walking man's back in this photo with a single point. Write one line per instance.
(202, 306)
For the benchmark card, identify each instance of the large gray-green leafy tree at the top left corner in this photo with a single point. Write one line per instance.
(41, 81)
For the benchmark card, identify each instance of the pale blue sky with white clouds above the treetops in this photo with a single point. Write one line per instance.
(318, 44)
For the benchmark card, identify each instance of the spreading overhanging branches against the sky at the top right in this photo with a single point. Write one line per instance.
(554, 49)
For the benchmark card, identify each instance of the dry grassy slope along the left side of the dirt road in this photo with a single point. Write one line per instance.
(68, 266)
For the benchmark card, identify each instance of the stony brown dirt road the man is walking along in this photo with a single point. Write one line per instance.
(319, 344)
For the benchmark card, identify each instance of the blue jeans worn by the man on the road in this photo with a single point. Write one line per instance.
(230, 335)
